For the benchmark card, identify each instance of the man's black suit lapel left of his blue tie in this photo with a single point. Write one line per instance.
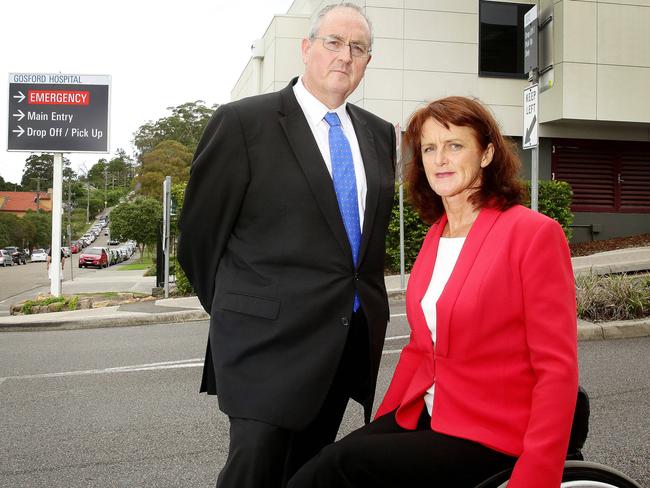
(295, 126)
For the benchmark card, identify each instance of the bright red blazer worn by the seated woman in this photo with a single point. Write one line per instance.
(505, 358)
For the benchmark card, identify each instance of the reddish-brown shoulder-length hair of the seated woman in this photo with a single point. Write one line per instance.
(501, 186)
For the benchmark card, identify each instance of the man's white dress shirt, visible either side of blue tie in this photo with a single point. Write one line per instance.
(314, 111)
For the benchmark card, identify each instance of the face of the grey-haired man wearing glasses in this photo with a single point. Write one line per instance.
(332, 76)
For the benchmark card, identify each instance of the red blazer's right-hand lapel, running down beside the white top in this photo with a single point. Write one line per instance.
(445, 305)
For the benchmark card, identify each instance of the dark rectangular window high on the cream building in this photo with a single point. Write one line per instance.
(501, 39)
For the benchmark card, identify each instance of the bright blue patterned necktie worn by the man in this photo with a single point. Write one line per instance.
(345, 186)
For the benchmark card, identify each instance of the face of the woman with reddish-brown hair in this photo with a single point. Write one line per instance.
(453, 160)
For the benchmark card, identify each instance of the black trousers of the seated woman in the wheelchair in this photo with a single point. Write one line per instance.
(382, 454)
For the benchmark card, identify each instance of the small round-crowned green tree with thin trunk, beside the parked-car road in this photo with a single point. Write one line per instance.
(137, 220)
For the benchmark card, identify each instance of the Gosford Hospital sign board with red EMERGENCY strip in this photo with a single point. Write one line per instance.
(58, 112)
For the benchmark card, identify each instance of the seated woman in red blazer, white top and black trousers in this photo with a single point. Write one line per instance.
(489, 377)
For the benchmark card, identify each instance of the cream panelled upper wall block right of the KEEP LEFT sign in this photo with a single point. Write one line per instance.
(602, 62)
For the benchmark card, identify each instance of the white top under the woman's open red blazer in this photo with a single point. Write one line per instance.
(448, 251)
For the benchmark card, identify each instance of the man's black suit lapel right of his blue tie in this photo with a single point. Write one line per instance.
(371, 165)
